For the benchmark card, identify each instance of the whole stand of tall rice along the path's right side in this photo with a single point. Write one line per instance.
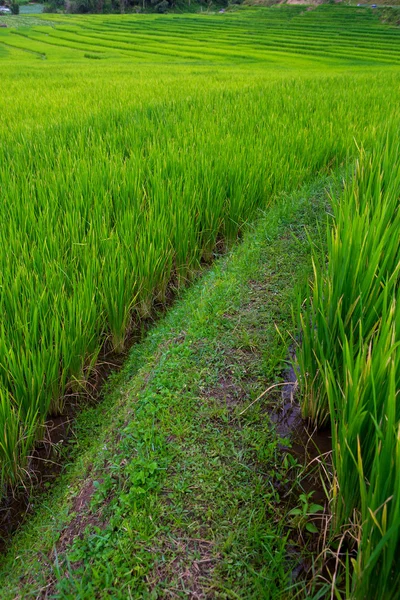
(350, 367)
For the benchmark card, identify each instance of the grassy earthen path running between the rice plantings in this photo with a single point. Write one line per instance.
(179, 492)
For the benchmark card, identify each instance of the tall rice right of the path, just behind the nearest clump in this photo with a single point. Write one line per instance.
(347, 294)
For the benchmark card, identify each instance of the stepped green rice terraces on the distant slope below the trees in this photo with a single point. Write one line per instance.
(349, 35)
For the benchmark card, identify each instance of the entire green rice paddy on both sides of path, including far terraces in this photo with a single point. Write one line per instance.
(133, 146)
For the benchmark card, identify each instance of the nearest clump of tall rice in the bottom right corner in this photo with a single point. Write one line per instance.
(366, 445)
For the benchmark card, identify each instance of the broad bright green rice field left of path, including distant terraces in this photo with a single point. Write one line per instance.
(134, 147)
